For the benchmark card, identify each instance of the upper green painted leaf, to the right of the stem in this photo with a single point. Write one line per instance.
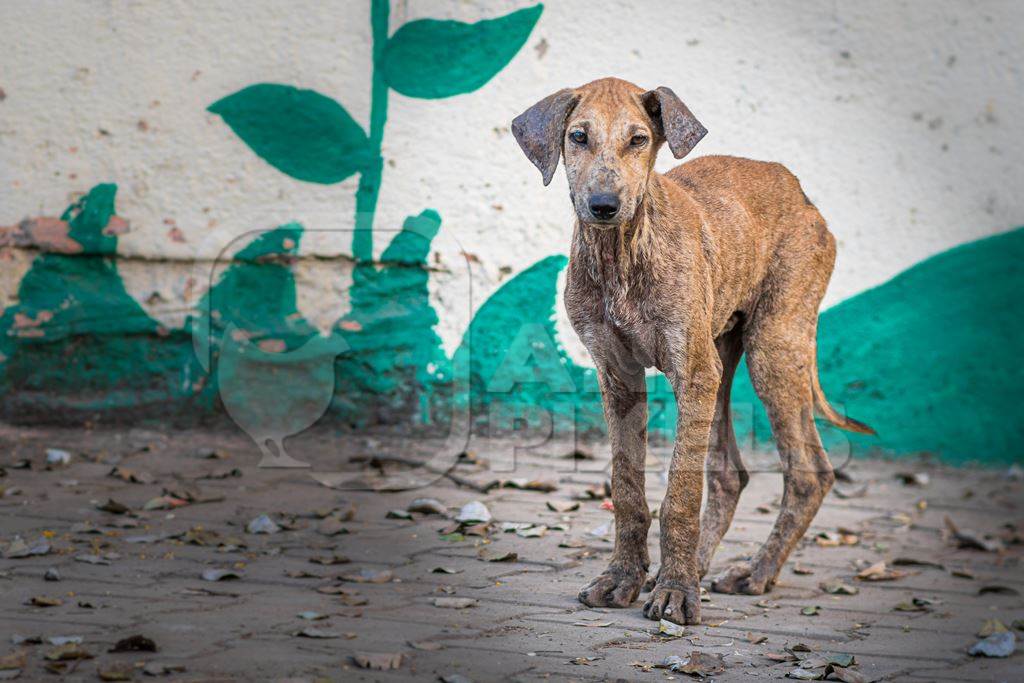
(431, 59)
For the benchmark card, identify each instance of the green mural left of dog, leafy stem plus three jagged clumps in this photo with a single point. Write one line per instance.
(251, 353)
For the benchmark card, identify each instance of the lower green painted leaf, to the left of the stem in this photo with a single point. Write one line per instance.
(303, 134)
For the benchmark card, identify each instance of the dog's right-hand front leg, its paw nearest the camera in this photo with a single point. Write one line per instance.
(695, 376)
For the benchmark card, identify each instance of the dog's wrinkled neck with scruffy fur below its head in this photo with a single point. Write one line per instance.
(617, 255)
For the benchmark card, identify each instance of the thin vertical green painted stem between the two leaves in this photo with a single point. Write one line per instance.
(370, 179)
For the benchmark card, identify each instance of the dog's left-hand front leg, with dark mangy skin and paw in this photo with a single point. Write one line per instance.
(625, 397)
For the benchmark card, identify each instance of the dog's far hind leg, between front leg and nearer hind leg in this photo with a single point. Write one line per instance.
(727, 475)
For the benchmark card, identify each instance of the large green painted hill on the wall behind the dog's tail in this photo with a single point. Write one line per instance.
(930, 359)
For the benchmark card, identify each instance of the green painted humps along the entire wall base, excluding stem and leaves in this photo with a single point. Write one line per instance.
(917, 356)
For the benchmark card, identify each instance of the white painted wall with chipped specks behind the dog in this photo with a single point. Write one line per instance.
(902, 119)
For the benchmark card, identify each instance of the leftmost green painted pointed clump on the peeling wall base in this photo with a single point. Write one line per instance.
(75, 327)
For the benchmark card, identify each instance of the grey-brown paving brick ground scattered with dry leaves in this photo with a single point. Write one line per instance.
(526, 624)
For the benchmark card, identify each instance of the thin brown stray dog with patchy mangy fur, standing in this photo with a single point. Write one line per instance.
(686, 273)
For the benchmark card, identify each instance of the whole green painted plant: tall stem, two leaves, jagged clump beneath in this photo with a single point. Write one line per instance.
(396, 364)
